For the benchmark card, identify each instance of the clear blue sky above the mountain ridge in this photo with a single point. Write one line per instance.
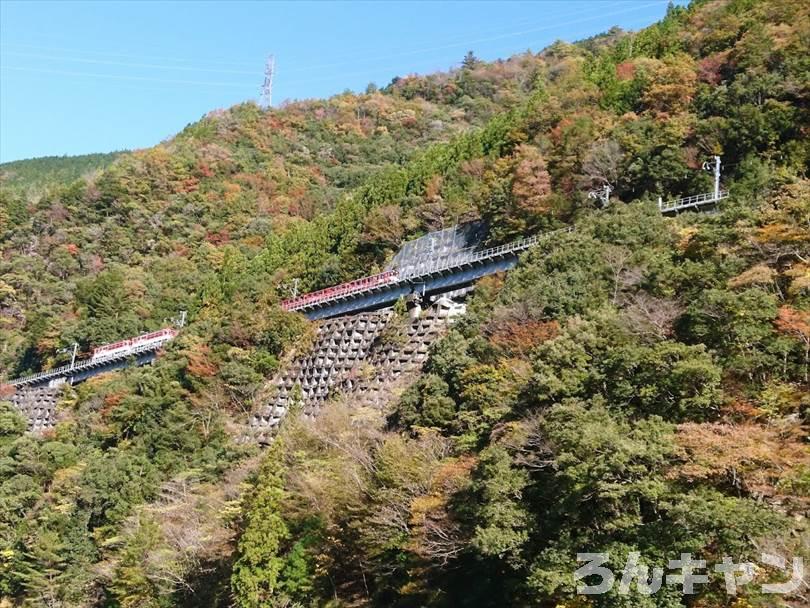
(80, 77)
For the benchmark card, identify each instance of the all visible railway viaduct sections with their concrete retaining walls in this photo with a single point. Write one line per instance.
(352, 316)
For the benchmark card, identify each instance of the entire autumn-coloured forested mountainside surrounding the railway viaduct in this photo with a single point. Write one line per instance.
(638, 385)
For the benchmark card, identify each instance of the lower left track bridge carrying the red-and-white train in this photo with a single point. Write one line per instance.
(140, 354)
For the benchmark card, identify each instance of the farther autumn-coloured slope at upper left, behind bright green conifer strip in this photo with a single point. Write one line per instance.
(213, 195)
